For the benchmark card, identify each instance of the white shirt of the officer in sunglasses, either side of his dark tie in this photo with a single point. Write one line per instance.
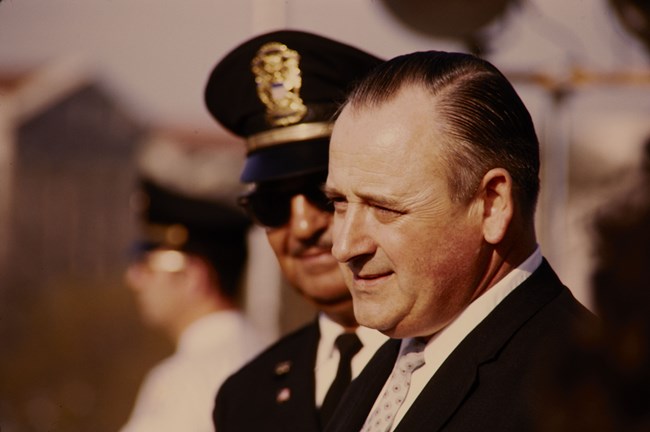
(327, 357)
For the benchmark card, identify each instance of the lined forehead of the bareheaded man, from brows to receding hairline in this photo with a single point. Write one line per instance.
(400, 138)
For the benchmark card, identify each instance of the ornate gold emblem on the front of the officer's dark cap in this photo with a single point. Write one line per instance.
(278, 78)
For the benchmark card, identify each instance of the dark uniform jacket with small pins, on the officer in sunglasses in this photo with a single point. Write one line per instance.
(275, 391)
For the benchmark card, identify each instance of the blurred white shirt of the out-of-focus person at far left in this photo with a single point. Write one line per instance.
(179, 393)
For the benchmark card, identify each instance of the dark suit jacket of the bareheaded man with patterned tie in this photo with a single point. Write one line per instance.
(488, 382)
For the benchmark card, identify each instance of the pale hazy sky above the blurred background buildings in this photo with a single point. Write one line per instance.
(156, 54)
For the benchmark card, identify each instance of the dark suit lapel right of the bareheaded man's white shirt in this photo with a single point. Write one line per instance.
(453, 382)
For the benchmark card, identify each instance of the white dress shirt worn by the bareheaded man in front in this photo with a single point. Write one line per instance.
(443, 343)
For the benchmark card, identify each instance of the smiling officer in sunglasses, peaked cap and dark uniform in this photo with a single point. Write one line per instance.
(280, 91)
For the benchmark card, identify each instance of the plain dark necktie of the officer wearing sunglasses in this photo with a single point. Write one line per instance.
(348, 345)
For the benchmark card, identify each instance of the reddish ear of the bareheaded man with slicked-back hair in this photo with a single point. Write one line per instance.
(498, 206)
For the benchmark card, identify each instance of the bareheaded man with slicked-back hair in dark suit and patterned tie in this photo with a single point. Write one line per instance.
(434, 176)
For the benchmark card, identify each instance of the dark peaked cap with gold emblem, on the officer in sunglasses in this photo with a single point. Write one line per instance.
(280, 91)
